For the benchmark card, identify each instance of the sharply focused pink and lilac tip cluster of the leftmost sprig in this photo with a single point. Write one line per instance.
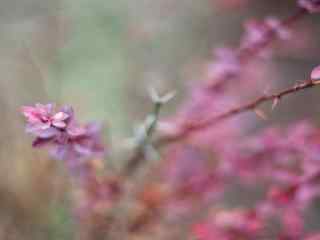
(59, 130)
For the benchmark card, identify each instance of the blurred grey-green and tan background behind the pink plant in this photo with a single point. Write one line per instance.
(100, 56)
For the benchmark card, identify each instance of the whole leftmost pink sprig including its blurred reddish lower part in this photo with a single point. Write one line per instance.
(77, 146)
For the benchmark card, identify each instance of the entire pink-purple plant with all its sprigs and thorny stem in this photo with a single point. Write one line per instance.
(206, 159)
